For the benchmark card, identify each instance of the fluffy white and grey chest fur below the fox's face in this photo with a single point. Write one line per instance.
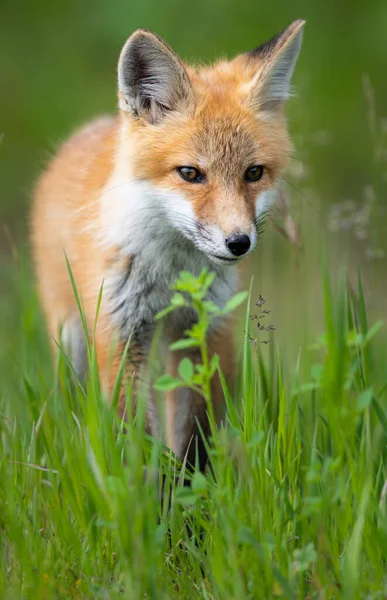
(138, 219)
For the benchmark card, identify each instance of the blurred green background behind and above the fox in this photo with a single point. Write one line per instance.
(58, 69)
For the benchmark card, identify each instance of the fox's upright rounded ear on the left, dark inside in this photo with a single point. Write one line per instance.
(151, 79)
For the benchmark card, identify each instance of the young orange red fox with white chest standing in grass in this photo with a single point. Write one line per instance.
(180, 180)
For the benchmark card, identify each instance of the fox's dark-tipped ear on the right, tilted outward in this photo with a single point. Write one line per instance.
(276, 60)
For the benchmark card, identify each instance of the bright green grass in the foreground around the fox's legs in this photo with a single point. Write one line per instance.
(293, 506)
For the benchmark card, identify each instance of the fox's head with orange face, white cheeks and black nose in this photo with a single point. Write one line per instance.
(209, 143)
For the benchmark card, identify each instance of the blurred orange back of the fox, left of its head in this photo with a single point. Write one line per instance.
(65, 203)
